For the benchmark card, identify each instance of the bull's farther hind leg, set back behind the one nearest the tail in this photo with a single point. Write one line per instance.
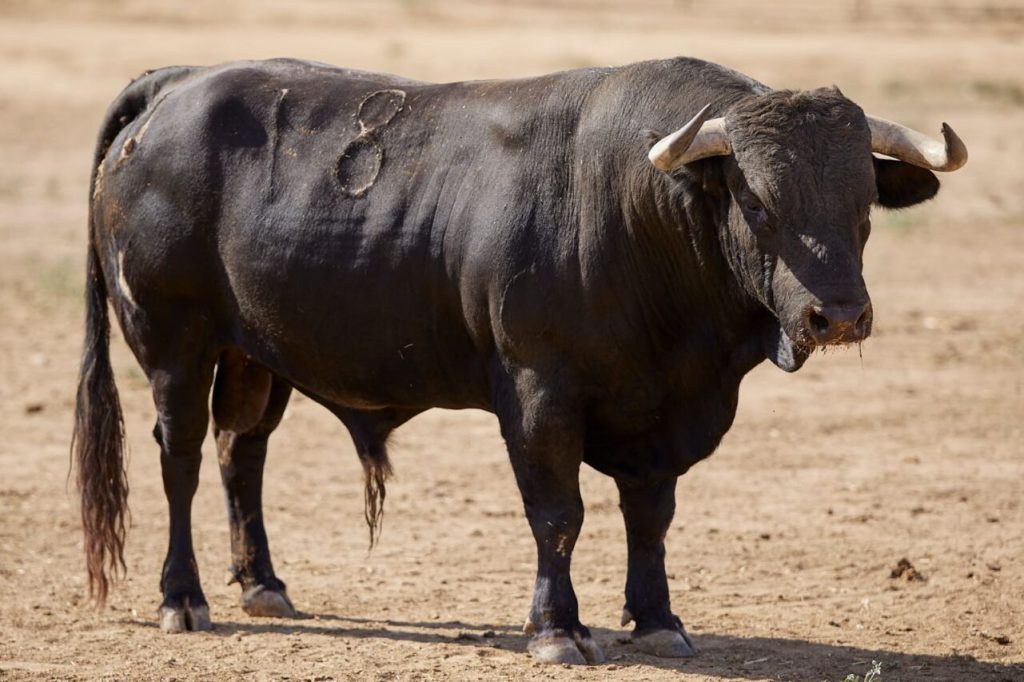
(242, 456)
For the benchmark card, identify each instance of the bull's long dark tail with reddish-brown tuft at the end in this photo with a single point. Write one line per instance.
(98, 446)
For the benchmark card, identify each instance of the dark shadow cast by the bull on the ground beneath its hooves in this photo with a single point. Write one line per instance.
(721, 655)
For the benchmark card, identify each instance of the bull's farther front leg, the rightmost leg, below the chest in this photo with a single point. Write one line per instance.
(648, 510)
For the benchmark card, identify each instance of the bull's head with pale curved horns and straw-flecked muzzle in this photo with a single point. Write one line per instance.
(801, 180)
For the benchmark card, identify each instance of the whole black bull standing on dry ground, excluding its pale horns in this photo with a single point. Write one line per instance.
(388, 246)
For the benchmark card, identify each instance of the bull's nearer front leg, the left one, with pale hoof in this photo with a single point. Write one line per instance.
(545, 448)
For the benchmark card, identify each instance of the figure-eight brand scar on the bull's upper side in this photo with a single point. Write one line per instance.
(362, 159)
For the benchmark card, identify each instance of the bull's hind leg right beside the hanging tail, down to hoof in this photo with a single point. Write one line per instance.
(181, 393)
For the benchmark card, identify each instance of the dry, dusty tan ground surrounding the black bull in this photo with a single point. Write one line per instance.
(782, 551)
